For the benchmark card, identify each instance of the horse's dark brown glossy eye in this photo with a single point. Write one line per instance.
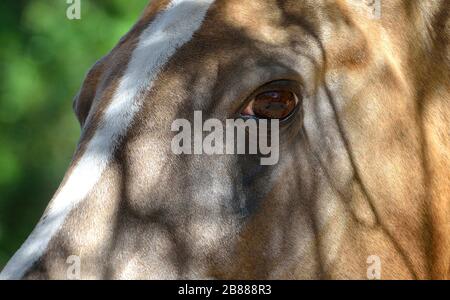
(272, 105)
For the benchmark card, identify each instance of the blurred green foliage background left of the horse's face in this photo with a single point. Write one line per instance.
(43, 60)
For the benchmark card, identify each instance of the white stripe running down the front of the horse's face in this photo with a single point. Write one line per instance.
(172, 28)
